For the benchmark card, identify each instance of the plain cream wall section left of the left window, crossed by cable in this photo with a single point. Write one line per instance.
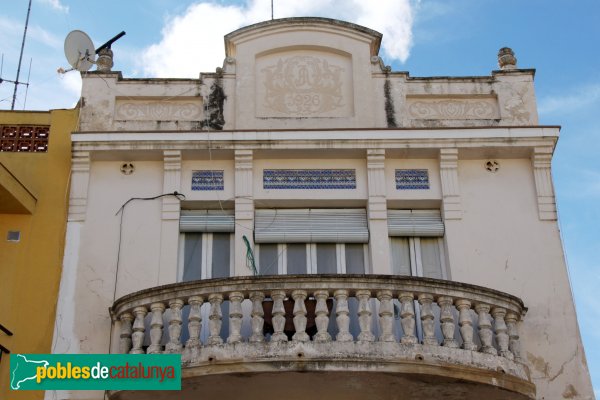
(97, 258)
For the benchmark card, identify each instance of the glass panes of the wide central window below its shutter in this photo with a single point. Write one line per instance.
(311, 258)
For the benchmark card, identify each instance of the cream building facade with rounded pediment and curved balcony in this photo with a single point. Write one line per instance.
(308, 218)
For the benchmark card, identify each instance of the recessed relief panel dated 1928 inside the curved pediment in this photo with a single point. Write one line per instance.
(303, 85)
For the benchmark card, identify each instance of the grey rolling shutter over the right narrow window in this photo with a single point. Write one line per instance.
(422, 223)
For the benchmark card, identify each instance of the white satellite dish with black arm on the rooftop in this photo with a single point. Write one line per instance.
(80, 53)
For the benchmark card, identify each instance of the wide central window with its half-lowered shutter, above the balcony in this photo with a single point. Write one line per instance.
(311, 241)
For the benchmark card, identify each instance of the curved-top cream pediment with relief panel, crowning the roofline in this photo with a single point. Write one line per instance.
(291, 71)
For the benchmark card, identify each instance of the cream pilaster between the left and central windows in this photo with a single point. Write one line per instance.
(244, 209)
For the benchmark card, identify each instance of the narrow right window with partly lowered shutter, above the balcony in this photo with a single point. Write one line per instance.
(416, 243)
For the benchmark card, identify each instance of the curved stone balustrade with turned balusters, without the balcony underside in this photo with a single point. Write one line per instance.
(368, 318)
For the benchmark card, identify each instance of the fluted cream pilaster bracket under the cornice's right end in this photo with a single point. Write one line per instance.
(541, 161)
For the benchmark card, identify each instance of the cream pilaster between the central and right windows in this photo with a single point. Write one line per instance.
(379, 250)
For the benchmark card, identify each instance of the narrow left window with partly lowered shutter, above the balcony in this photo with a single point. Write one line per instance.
(206, 240)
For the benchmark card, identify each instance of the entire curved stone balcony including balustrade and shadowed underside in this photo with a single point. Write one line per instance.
(346, 336)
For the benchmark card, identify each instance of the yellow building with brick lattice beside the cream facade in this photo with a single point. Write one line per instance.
(35, 162)
